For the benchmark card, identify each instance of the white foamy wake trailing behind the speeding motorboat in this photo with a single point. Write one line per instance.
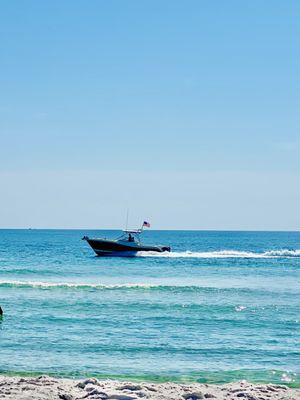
(283, 253)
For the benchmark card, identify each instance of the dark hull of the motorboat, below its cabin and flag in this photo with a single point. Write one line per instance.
(103, 247)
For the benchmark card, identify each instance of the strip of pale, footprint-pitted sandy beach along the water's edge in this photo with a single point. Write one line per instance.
(48, 388)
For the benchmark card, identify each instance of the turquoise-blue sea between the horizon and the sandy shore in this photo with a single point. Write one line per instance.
(222, 306)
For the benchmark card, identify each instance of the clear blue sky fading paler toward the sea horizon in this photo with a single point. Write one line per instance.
(184, 112)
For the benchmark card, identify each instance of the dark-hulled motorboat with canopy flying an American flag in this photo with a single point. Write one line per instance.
(126, 245)
